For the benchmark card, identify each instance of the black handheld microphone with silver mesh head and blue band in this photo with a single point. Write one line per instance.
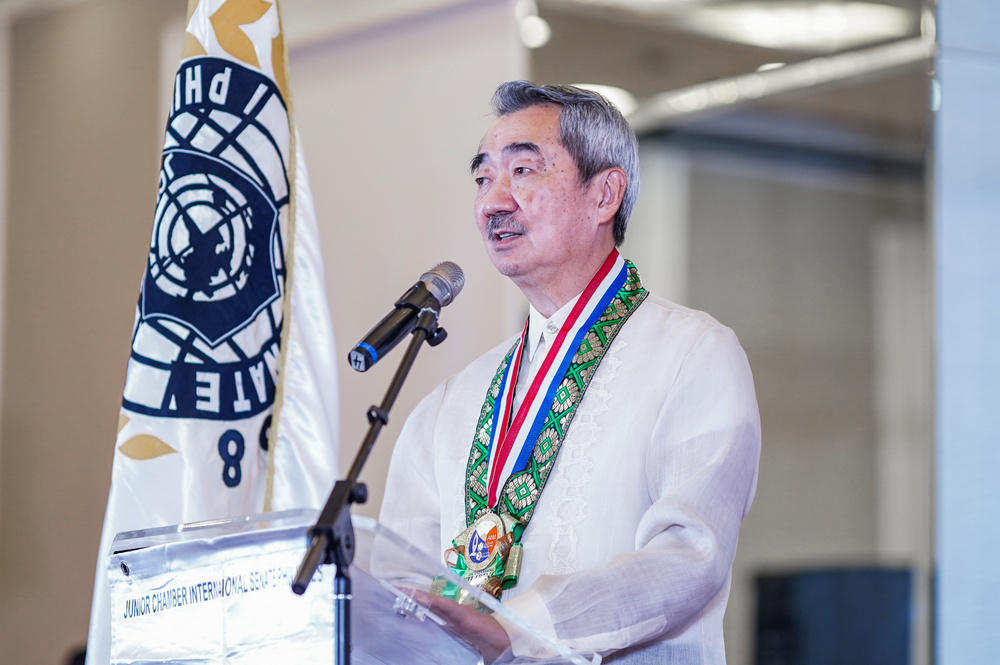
(437, 287)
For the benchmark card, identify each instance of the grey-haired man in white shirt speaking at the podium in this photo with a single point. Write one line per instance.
(593, 472)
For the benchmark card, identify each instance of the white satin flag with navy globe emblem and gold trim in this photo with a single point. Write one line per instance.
(229, 404)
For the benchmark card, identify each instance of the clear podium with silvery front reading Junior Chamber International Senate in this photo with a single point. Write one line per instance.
(220, 592)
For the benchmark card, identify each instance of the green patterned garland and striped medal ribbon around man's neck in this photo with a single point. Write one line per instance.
(519, 452)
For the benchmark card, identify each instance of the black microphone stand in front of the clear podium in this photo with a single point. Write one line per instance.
(331, 539)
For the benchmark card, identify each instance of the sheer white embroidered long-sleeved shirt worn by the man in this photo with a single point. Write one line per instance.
(632, 541)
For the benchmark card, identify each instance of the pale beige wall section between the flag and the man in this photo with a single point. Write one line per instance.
(389, 117)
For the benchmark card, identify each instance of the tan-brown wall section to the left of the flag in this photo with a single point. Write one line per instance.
(82, 182)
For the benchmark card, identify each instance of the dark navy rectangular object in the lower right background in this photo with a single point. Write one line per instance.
(860, 616)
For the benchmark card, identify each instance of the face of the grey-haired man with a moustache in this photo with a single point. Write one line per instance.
(536, 219)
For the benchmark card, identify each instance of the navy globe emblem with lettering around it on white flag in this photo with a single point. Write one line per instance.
(209, 323)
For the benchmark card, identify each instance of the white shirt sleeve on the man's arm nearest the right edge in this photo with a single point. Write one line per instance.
(700, 472)
